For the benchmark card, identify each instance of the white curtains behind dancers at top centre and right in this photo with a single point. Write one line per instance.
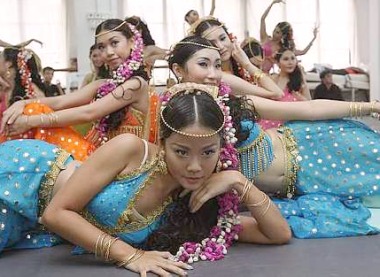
(336, 43)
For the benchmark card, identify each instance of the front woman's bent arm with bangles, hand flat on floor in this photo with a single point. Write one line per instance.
(62, 215)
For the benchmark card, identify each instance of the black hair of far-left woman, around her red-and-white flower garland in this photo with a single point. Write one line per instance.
(18, 93)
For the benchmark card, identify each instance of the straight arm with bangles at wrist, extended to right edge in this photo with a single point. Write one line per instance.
(313, 109)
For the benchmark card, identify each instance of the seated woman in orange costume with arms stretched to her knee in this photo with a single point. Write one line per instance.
(119, 105)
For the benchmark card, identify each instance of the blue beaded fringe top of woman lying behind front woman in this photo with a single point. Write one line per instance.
(256, 157)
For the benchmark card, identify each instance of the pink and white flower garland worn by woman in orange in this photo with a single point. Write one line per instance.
(119, 76)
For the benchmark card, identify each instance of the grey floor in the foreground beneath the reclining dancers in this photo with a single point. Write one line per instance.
(348, 257)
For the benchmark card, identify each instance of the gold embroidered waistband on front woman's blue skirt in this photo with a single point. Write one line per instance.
(45, 192)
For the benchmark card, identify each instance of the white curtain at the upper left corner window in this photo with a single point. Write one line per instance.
(40, 19)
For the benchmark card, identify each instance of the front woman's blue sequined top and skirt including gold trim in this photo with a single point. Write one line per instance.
(28, 170)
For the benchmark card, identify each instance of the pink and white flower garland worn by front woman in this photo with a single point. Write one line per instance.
(228, 225)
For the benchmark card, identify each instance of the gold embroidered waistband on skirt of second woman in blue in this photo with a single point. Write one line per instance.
(291, 152)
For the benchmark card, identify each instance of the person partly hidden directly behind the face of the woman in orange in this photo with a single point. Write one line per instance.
(98, 68)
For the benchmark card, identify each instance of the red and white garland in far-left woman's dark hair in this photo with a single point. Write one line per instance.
(23, 56)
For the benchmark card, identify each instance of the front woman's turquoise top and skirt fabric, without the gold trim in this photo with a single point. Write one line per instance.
(23, 164)
